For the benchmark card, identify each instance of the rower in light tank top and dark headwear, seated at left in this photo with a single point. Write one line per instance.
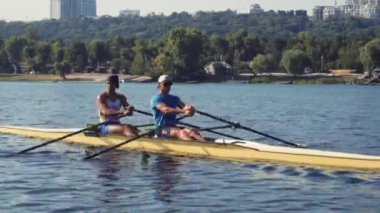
(111, 105)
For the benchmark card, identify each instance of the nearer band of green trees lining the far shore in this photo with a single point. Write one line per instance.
(184, 52)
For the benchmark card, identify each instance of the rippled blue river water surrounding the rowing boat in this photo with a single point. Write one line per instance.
(56, 179)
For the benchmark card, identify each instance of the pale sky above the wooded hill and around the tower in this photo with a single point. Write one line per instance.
(31, 10)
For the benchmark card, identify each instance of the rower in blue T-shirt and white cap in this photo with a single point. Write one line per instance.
(165, 109)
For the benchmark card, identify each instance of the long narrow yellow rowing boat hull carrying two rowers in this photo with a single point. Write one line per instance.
(233, 150)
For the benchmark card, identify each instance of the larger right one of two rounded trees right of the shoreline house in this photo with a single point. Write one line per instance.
(295, 61)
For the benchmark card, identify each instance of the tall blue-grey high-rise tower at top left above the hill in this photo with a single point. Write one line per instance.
(72, 8)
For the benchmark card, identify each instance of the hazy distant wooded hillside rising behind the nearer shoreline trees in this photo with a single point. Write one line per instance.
(271, 24)
